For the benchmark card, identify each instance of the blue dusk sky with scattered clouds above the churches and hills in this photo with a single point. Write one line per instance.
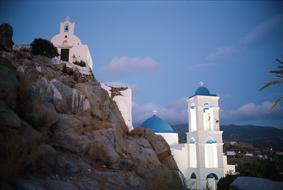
(162, 49)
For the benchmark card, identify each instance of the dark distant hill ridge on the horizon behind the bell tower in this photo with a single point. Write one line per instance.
(257, 135)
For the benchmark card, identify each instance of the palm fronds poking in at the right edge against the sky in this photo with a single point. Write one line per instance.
(279, 75)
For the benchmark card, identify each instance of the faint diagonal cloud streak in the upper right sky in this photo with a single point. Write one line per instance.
(261, 30)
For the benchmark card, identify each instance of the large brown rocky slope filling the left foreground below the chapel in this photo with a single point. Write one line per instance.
(60, 130)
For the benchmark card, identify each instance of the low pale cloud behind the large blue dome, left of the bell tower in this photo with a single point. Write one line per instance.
(175, 113)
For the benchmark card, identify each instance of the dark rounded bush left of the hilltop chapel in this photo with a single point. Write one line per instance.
(43, 47)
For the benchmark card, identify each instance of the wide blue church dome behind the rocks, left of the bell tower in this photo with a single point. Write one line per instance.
(156, 124)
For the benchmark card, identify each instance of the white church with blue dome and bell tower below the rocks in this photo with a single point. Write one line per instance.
(201, 159)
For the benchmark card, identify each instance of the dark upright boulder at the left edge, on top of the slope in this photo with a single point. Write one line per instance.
(6, 34)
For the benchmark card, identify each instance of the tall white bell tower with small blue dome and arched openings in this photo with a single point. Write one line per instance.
(205, 139)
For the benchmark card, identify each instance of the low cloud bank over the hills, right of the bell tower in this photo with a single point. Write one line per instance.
(252, 113)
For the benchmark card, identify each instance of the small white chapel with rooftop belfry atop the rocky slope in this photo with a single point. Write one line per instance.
(70, 47)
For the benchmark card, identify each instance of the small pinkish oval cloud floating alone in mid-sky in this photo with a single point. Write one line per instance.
(127, 65)
